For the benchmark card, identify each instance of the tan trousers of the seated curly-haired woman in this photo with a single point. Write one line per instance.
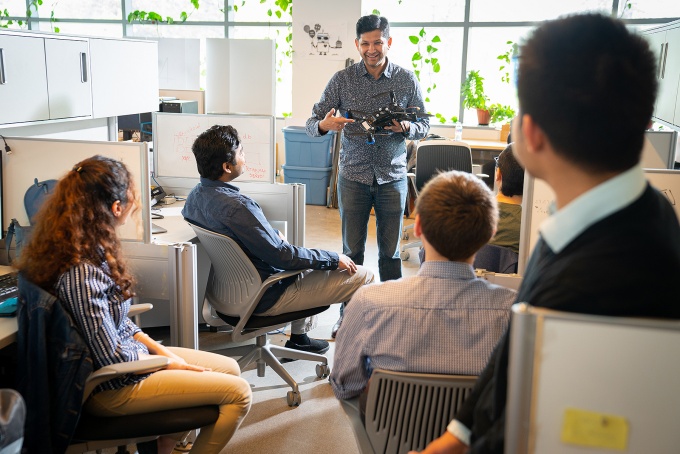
(168, 389)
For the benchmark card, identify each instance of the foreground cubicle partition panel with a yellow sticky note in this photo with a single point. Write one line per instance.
(613, 380)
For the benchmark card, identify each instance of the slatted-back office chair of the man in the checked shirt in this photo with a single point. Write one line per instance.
(406, 411)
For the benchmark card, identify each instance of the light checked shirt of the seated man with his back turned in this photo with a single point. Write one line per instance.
(444, 320)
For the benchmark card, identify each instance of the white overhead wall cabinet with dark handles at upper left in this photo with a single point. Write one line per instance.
(54, 77)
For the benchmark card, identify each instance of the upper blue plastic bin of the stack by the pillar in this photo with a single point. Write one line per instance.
(305, 151)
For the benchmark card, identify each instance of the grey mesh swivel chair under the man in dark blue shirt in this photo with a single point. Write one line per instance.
(234, 290)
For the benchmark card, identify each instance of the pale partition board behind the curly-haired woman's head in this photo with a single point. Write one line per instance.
(46, 159)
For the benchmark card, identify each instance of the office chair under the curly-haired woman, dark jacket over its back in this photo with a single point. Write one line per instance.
(91, 432)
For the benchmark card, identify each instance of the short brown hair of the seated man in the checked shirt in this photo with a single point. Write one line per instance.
(458, 214)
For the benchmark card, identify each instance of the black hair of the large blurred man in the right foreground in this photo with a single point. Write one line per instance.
(590, 84)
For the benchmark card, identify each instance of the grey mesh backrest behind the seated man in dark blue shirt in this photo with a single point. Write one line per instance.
(233, 281)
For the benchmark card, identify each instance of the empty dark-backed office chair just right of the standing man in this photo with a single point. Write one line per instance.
(432, 157)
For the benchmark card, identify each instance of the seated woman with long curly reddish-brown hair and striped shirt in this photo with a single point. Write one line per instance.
(76, 255)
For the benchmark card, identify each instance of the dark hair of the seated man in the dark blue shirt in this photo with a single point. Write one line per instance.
(213, 148)
